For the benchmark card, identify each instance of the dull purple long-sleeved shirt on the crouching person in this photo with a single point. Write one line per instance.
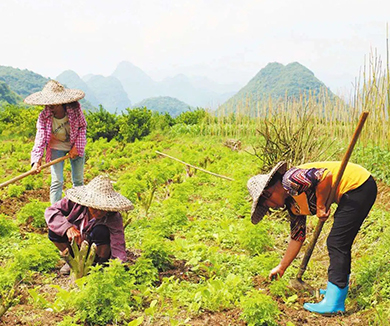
(64, 214)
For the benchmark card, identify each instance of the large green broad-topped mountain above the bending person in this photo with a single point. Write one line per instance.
(277, 81)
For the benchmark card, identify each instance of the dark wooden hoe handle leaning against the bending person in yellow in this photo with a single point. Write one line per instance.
(320, 224)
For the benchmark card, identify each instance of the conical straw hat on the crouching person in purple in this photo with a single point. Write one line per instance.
(99, 194)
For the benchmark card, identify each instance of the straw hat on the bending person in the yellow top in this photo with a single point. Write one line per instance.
(256, 186)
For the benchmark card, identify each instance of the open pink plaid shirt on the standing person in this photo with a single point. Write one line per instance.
(78, 131)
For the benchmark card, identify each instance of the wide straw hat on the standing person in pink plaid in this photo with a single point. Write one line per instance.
(54, 93)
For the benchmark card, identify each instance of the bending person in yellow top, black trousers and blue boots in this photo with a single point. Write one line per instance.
(303, 191)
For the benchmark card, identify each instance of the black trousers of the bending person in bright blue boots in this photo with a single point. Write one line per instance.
(353, 208)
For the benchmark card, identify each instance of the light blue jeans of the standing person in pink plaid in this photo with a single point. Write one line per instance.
(57, 174)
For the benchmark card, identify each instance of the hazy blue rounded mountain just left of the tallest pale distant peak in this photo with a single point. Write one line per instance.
(109, 92)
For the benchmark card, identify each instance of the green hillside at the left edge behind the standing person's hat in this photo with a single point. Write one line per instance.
(23, 82)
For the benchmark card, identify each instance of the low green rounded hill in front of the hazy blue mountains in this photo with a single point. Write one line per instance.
(164, 104)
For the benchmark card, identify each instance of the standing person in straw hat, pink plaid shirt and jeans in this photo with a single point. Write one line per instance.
(61, 129)
